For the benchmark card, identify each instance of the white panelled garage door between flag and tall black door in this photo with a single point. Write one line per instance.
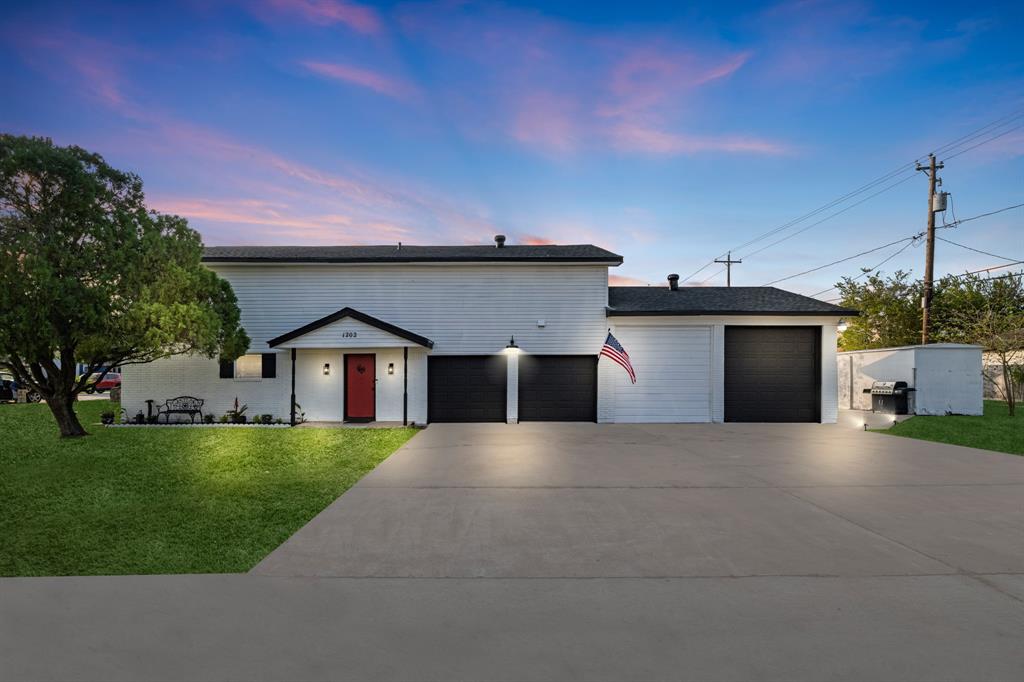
(673, 366)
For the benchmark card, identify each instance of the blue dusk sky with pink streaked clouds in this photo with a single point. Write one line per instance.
(665, 133)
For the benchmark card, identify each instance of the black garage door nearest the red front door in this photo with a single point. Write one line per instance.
(466, 389)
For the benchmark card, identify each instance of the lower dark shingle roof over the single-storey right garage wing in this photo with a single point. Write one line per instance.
(715, 301)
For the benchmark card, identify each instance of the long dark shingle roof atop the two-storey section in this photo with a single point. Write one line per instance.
(410, 254)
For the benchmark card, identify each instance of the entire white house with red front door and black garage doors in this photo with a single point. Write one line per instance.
(503, 333)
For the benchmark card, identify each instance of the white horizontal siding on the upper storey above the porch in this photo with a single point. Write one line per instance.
(464, 310)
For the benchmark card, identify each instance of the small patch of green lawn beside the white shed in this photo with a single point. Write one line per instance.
(997, 431)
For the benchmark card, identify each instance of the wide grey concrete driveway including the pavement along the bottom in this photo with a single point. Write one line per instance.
(582, 551)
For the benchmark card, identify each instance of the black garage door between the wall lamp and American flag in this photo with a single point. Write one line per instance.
(558, 389)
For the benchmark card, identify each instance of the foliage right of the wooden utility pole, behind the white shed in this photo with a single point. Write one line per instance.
(989, 313)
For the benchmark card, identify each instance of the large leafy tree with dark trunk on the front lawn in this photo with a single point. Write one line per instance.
(89, 275)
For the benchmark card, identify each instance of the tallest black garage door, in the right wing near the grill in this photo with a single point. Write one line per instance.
(773, 374)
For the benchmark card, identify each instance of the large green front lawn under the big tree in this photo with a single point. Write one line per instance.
(165, 501)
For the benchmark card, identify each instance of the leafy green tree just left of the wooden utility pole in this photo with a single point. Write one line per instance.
(890, 312)
